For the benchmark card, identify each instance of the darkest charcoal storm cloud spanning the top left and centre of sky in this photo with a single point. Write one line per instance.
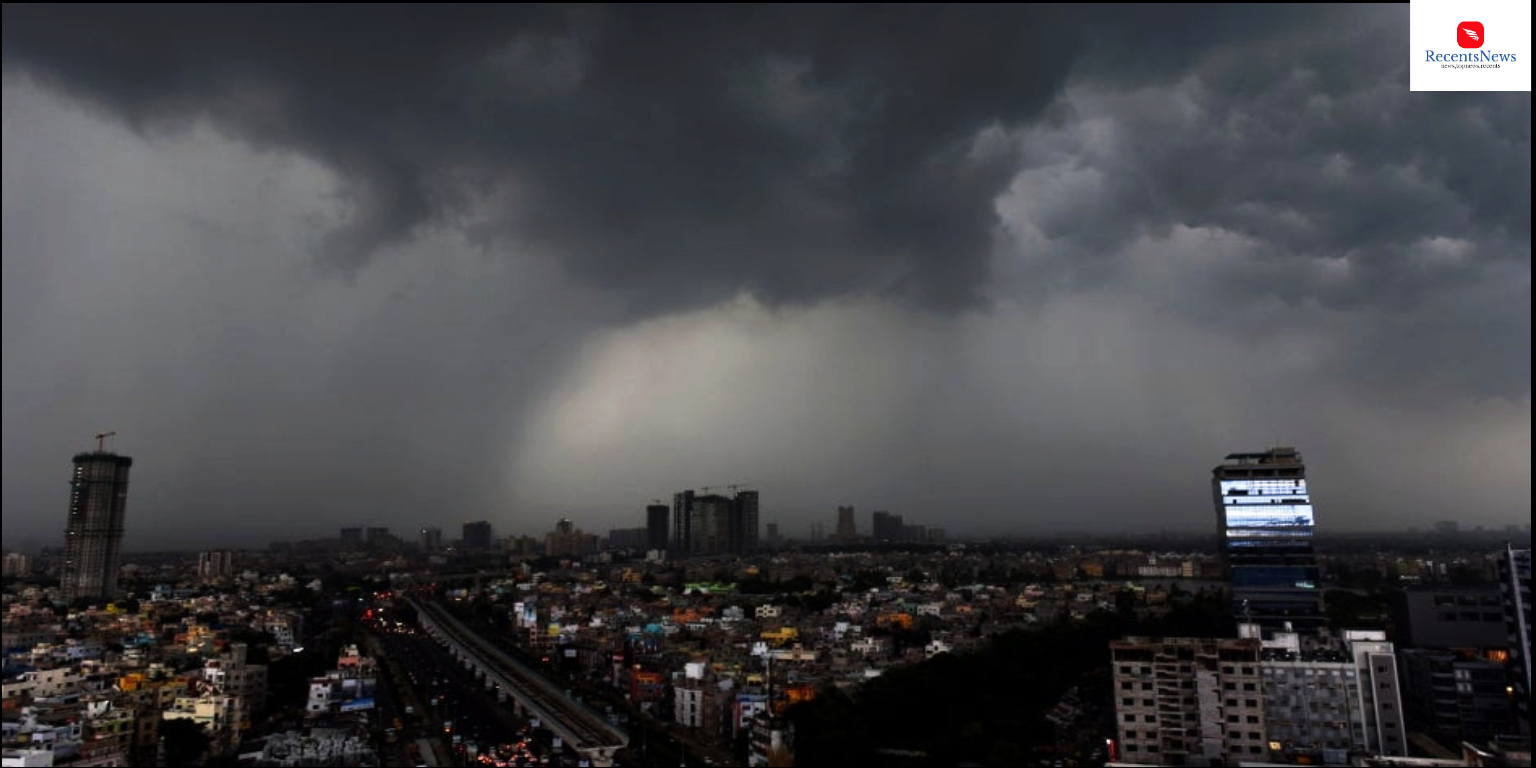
(678, 153)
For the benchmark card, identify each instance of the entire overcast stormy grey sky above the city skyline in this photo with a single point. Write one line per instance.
(1007, 270)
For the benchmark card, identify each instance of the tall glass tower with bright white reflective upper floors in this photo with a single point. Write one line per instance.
(1265, 525)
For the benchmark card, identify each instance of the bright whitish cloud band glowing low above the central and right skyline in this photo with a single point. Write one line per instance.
(1090, 412)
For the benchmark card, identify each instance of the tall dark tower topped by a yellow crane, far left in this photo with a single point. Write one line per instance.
(94, 534)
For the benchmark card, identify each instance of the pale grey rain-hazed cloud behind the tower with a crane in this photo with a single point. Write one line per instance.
(164, 290)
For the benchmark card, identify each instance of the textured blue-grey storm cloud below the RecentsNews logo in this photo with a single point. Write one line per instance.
(1397, 220)
